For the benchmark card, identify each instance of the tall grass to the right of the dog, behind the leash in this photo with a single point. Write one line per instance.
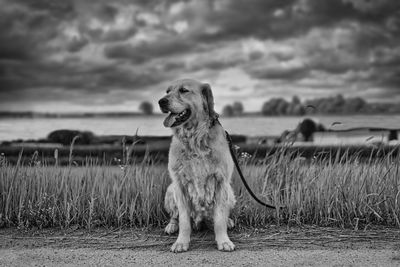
(337, 191)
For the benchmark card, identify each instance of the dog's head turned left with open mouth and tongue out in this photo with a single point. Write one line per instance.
(187, 100)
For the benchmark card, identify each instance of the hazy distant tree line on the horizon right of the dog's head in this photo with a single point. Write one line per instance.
(334, 105)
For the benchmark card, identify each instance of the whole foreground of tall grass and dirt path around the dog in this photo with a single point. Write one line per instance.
(338, 206)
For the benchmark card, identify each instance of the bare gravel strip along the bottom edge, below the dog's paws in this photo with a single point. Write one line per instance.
(244, 257)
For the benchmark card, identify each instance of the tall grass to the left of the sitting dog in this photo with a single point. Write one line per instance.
(93, 195)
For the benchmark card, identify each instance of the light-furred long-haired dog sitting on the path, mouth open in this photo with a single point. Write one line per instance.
(199, 164)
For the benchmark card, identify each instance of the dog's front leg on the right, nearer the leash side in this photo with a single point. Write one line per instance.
(221, 216)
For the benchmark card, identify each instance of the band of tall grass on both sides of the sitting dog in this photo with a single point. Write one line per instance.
(330, 191)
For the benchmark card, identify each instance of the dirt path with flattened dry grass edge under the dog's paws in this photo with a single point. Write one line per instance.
(268, 247)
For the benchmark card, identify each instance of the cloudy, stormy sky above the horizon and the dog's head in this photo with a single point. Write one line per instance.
(101, 56)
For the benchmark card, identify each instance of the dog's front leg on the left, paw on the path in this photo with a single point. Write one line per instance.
(182, 242)
